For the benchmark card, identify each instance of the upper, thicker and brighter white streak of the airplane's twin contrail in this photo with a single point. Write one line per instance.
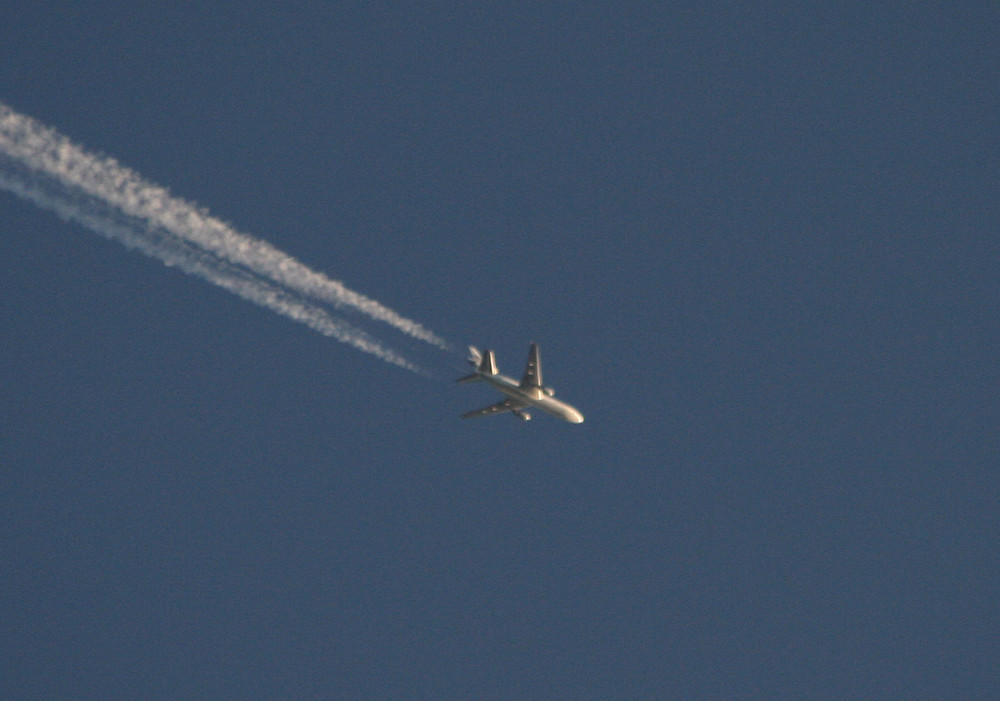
(46, 151)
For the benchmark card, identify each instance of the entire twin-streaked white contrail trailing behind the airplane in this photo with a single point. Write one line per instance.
(48, 169)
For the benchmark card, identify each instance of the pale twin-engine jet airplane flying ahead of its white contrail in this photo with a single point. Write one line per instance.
(529, 392)
